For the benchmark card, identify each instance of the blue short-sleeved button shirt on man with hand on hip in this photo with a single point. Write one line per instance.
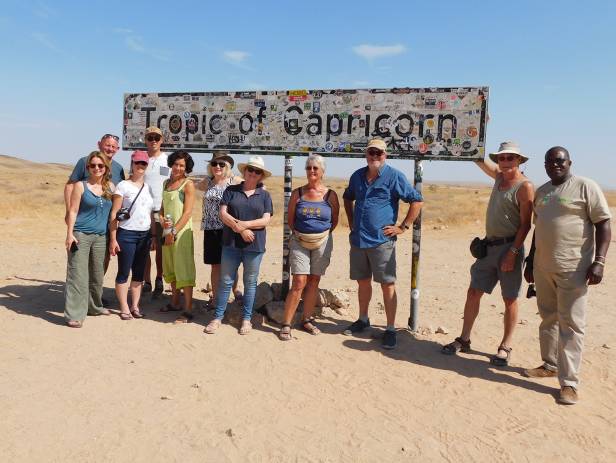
(376, 204)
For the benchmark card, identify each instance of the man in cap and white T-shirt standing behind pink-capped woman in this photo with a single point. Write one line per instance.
(155, 175)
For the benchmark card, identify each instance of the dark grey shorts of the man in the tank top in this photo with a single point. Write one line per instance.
(486, 272)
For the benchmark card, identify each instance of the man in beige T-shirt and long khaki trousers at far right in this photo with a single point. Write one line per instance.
(572, 236)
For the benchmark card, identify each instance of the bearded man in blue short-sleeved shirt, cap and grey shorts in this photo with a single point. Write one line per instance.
(376, 191)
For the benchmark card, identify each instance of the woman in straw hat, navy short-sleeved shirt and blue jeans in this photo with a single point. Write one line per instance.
(245, 210)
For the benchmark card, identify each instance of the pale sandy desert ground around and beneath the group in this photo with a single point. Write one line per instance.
(149, 390)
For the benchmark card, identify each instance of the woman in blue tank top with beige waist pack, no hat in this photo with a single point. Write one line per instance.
(313, 216)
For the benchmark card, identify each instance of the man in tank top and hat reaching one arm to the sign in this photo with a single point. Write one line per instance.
(508, 221)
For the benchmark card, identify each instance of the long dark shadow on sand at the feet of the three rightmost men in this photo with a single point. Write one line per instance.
(427, 353)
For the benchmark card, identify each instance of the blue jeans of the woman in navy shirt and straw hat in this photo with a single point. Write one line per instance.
(230, 262)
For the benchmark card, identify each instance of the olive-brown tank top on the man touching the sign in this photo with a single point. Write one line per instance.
(503, 214)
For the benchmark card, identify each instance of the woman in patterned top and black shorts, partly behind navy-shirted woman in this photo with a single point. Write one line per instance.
(219, 177)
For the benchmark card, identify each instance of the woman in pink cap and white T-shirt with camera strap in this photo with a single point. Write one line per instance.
(131, 234)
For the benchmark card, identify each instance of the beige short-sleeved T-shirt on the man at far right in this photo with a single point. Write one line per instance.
(564, 230)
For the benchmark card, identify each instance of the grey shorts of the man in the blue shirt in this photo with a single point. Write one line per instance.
(378, 263)
